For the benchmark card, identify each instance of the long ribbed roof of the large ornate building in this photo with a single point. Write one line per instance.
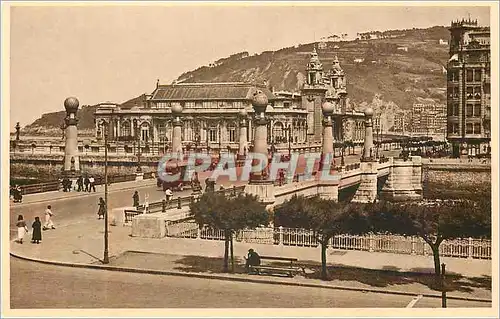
(208, 91)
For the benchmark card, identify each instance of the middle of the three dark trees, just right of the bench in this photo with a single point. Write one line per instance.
(326, 218)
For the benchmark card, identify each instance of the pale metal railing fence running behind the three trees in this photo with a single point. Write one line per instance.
(411, 245)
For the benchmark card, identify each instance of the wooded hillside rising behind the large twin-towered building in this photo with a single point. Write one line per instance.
(398, 69)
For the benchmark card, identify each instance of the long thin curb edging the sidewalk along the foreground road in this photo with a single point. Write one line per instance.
(228, 278)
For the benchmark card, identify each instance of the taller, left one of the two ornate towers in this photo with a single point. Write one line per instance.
(313, 94)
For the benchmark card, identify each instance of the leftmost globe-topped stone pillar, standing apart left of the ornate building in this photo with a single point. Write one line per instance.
(71, 159)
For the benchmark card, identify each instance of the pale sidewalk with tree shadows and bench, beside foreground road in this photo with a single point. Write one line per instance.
(82, 244)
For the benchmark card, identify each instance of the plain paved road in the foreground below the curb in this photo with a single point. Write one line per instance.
(43, 286)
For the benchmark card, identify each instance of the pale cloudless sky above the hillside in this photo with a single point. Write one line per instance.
(114, 53)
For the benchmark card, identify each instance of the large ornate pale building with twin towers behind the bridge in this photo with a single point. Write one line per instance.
(211, 113)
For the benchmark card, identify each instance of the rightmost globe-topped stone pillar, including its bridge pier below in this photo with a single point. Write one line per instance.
(367, 190)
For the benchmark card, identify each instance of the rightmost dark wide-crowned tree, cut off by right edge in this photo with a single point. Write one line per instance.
(435, 221)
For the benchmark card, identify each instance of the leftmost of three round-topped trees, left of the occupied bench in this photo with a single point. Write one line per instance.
(230, 214)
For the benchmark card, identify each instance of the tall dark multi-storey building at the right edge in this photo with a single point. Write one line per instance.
(469, 89)
